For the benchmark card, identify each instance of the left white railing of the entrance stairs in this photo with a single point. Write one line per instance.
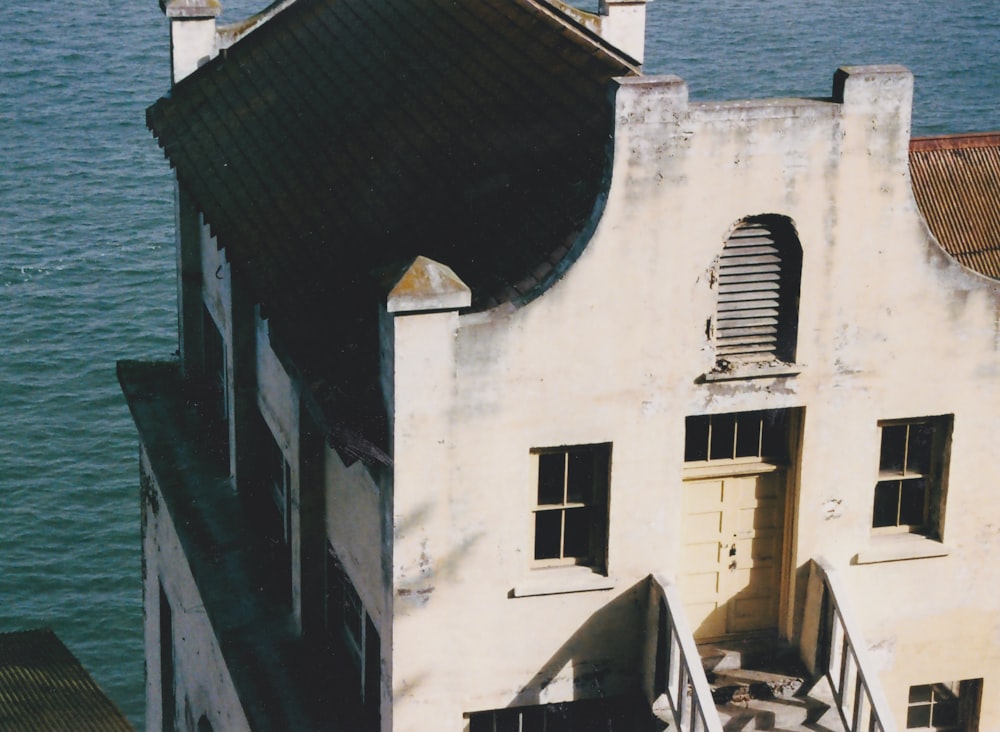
(678, 677)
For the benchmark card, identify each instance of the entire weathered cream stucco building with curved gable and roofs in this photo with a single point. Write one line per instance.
(508, 373)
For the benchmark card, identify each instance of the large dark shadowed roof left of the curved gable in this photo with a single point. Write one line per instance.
(341, 139)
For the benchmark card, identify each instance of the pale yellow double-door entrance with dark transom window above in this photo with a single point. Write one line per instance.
(734, 509)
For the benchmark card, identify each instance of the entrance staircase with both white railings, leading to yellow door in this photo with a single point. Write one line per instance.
(761, 684)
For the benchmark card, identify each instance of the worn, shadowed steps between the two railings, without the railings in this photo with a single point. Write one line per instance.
(760, 684)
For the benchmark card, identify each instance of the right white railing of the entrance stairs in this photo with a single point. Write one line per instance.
(842, 658)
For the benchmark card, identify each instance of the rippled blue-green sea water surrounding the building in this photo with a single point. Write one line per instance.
(86, 261)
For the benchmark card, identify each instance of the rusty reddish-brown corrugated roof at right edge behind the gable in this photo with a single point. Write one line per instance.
(956, 181)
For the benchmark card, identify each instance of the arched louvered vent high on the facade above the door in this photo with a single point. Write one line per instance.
(759, 272)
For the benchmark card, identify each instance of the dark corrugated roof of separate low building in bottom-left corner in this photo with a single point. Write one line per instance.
(44, 688)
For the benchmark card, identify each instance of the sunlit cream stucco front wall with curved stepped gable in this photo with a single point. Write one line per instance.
(889, 327)
